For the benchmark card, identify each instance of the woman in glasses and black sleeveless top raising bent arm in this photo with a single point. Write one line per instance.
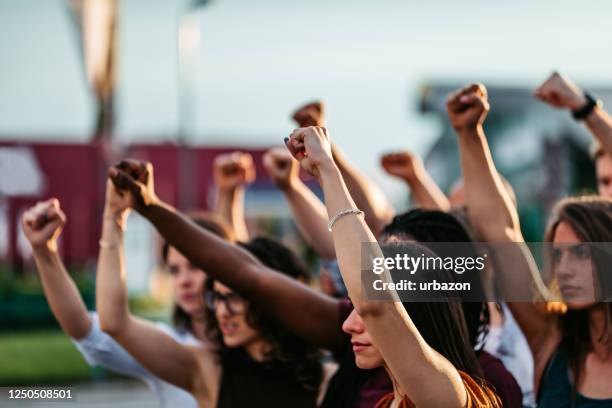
(254, 362)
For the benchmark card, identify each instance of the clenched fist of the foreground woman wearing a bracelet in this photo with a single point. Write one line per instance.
(311, 147)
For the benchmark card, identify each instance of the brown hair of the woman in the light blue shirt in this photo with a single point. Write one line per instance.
(211, 223)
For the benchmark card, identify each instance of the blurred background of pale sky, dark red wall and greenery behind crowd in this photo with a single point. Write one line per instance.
(86, 82)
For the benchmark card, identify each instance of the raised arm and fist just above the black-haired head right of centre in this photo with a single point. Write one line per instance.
(409, 168)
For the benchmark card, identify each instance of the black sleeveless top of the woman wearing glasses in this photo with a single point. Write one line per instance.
(249, 383)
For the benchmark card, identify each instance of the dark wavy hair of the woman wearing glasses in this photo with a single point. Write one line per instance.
(287, 349)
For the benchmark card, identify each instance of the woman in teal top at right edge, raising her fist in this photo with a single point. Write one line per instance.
(571, 351)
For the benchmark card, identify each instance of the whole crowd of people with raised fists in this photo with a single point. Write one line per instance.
(250, 328)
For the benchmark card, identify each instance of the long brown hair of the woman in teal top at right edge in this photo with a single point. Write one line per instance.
(590, 217)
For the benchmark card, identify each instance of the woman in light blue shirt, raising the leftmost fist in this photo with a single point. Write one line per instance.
(42, 225)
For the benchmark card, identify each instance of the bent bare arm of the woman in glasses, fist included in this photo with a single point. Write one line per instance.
(153, 348)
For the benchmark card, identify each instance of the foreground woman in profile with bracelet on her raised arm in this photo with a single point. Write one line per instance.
(423, 346)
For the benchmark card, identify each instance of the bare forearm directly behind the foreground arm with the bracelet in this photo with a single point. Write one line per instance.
(368, 197)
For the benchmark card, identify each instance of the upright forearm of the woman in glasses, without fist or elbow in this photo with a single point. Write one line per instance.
(111, 285)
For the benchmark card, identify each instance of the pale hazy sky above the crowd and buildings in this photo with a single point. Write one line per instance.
(257, 60)
